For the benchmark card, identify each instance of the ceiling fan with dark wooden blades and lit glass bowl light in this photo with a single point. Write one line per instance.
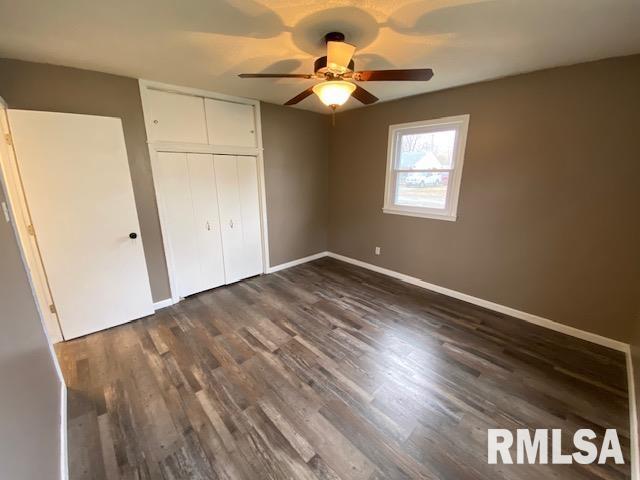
(336, 68)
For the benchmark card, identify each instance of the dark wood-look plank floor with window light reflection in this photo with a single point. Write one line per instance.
(328, 371)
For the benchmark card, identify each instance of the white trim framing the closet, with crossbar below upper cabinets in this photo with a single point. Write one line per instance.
(156, 147)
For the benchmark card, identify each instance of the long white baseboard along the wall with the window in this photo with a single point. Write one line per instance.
(527, 317)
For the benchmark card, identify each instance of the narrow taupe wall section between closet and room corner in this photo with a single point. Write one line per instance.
(296, 168)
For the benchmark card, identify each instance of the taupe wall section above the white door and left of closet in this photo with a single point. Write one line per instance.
(37, 86)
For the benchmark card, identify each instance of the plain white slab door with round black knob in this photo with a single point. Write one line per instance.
(77, 184)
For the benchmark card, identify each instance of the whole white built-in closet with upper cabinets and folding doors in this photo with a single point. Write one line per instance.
(206, 152)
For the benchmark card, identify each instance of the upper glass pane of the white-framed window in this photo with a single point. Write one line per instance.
(424, 151)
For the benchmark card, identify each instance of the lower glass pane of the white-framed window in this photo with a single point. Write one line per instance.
(422, 189)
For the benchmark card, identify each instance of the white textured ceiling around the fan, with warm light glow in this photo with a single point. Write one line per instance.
(206, 43)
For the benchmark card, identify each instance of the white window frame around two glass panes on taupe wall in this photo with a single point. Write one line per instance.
(461, 124)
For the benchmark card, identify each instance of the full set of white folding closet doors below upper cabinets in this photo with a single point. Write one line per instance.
(211, 218)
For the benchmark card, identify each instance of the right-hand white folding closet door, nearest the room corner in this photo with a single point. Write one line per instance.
(239, 205)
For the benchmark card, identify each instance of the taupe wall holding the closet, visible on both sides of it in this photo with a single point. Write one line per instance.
(295, 145)
